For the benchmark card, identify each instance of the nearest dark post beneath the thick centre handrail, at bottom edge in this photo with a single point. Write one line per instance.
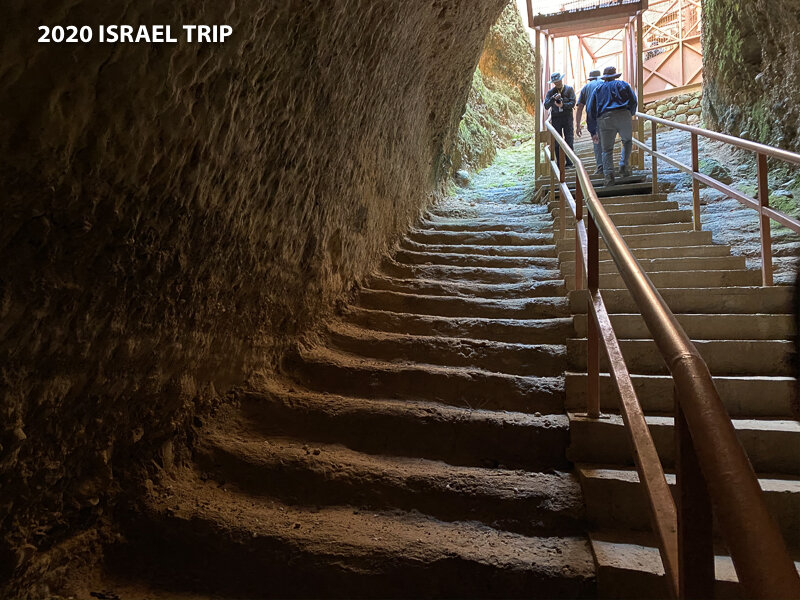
(695, 536)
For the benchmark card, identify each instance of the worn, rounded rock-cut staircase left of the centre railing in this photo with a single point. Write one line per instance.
(418, 450)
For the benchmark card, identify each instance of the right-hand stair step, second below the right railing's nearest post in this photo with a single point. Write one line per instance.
(704, 326)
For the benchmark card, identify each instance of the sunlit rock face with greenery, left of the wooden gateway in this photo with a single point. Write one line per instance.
(503, 95)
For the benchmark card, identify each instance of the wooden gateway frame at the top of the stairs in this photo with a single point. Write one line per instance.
(585, 18)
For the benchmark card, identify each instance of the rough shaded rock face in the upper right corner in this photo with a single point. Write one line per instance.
(751, 69)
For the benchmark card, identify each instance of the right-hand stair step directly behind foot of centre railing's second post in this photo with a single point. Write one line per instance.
(743, 395)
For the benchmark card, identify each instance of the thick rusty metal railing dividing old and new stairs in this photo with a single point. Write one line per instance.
(713, 473)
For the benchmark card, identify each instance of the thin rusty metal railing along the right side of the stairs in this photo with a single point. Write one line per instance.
(759, 204)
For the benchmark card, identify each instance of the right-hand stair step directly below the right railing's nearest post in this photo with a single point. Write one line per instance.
(730, 300)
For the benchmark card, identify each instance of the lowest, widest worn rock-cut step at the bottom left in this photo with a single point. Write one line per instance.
(230, 543)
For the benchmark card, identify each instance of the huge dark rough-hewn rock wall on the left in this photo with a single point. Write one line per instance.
(173, 216)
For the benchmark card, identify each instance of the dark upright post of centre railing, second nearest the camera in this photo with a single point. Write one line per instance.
(593, 330)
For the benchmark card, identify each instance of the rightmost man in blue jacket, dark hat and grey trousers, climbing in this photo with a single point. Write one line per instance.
(611, 107)
